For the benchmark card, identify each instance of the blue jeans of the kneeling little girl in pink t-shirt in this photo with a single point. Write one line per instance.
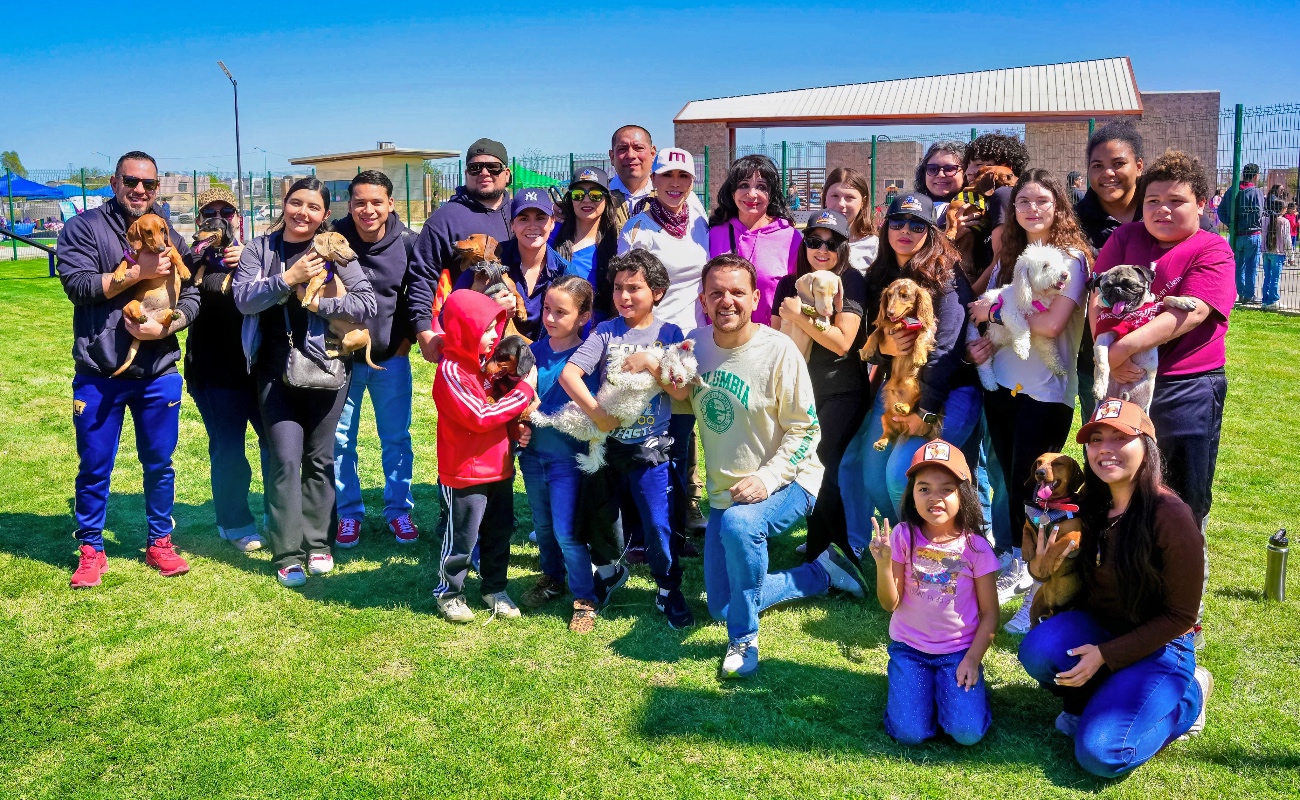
(924, 691)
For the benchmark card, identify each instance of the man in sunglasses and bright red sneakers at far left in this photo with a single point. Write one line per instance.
(90, 248)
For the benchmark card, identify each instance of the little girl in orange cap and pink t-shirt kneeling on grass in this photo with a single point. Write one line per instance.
(939, 580)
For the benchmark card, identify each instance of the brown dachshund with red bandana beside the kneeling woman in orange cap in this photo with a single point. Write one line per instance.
(1056, 504)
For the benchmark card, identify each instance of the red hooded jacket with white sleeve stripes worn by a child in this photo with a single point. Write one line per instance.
(474, 447)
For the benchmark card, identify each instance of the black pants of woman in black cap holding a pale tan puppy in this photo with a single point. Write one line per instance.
(839, 417)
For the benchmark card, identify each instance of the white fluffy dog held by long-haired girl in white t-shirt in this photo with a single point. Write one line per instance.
(1041, 275)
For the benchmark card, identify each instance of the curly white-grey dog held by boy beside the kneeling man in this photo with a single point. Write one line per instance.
(625, 396)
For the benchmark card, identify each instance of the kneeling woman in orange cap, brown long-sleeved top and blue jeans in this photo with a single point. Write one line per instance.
(1124, 661)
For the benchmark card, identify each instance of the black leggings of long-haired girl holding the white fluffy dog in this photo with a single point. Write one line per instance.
(1022, 430)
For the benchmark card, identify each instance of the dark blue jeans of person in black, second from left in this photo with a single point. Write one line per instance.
(227, 414)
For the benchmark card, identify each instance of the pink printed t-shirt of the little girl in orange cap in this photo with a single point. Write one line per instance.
(939, 611)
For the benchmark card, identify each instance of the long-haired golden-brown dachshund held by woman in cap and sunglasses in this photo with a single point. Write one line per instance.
(904, 306)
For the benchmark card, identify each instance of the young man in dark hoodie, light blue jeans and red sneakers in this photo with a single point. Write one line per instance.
(384, 249)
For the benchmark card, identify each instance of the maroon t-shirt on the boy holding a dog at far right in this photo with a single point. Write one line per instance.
(1202, 267)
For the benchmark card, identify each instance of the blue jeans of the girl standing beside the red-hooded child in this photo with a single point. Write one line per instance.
(552, 482)
